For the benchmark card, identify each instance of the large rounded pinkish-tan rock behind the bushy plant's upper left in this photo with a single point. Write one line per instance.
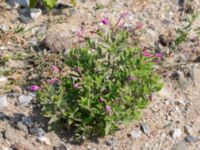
(57, 41)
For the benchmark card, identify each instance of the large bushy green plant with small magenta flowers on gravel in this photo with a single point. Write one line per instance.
(108, 83)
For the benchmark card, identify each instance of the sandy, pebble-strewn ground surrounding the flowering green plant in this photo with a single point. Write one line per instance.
(170, 122)
